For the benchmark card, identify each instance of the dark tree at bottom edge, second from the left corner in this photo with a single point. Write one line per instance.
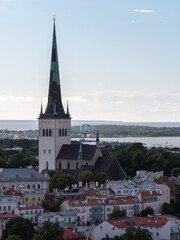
(49, 231)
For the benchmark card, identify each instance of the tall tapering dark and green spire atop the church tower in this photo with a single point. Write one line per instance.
(54, 106)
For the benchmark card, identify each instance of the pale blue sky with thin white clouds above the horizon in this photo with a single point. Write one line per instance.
(119, 59)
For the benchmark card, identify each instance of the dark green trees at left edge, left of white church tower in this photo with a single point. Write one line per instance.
(13, 158)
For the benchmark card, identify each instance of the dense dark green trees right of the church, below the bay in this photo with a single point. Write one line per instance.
(137, 157)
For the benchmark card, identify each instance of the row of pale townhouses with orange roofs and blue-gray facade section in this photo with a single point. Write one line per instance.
(99, 209)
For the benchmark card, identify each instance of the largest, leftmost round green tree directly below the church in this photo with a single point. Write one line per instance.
(61, 180)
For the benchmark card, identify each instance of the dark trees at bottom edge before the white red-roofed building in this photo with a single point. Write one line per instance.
(132, 233)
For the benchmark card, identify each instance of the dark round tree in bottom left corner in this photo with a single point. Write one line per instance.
(19, 226)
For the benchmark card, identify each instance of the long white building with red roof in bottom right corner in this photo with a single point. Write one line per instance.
(161, 227)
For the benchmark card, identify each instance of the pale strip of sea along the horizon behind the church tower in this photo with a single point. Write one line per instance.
(33, 124)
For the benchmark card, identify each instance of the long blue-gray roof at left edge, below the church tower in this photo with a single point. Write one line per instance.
(20, 174)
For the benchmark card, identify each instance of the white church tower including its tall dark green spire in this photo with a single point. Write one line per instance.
(54, 123)
